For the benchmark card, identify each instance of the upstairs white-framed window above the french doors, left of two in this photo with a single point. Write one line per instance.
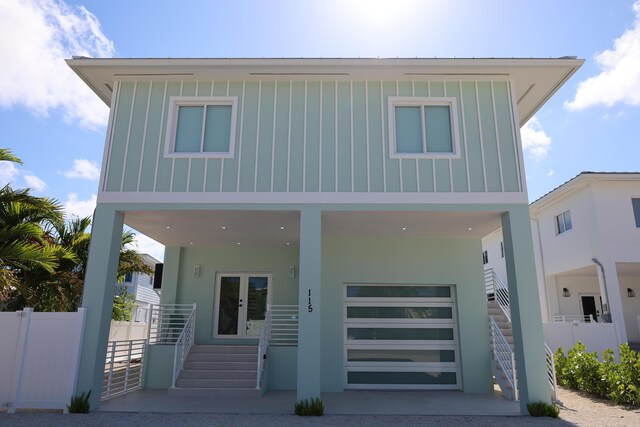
(201, 127)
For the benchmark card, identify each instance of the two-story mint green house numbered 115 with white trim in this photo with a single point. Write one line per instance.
(329, 211)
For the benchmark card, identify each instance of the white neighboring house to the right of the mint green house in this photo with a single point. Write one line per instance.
(586, 235)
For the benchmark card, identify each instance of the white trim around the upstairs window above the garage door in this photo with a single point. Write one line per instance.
(411, 101)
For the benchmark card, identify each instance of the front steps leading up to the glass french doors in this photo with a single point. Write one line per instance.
(218, 371)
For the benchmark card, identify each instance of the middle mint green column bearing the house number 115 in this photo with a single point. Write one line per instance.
(309, 300)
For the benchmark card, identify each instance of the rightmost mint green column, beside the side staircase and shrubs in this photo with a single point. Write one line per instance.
(528, 336)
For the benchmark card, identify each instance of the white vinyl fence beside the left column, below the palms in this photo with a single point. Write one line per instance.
(39, 358)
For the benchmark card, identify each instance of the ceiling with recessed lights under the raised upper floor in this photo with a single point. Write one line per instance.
(276, 228)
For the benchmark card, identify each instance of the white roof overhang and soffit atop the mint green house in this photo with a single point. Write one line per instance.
(535, 80)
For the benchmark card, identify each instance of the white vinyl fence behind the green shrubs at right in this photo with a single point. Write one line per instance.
(595, 336)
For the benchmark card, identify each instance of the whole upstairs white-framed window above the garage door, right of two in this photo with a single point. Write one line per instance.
(423, 127)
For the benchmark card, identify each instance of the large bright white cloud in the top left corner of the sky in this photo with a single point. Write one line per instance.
(37, 36)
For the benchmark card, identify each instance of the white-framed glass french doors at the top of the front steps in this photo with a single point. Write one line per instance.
(240, 304)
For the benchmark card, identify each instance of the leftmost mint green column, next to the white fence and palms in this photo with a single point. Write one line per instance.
(97, 298)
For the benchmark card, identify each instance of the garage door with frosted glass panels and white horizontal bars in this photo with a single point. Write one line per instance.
(400, 337)
